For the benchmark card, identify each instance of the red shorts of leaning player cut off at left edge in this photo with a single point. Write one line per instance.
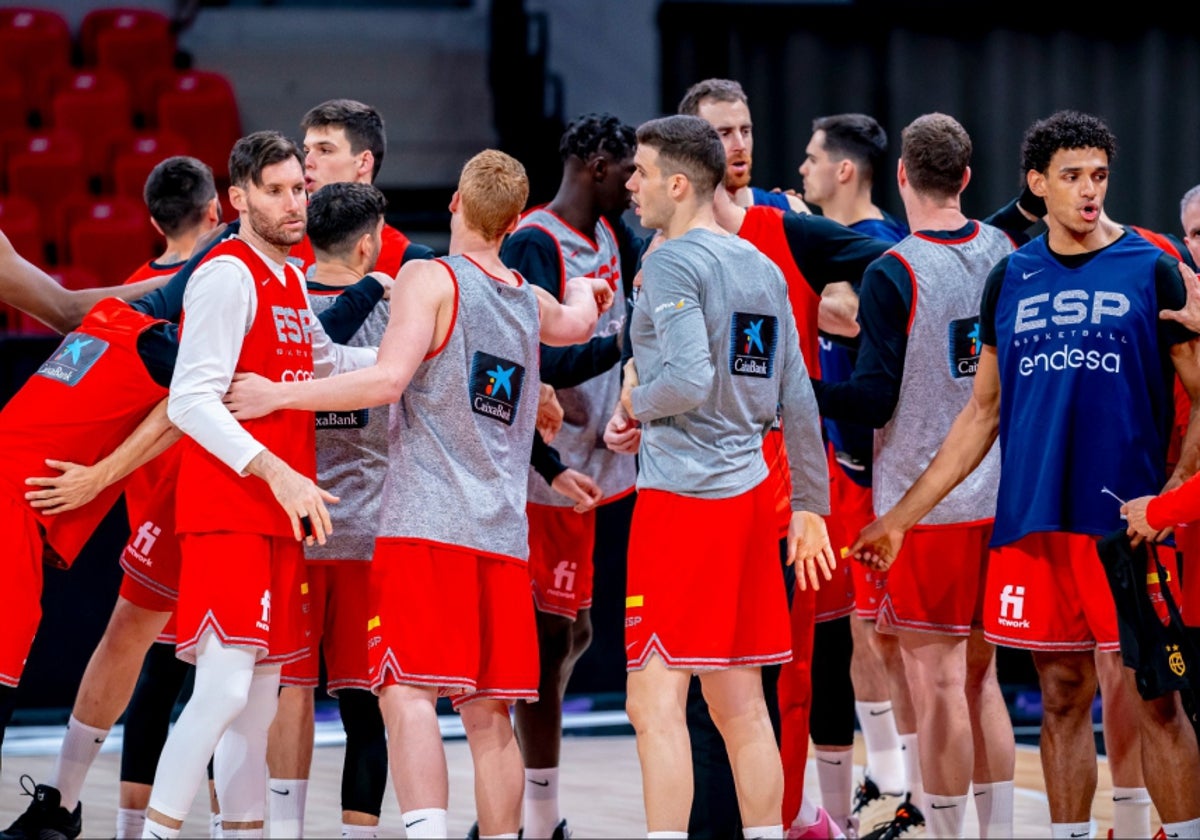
(23, 589)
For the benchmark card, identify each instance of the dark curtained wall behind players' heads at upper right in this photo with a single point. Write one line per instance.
(995, 69)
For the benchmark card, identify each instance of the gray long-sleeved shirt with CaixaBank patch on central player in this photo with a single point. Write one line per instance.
(718, 353)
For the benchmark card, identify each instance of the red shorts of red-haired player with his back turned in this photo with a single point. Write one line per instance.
(451, 619)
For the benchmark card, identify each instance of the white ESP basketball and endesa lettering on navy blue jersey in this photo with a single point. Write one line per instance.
(1071, 331)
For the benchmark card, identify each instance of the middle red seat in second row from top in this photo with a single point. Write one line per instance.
(95, 105)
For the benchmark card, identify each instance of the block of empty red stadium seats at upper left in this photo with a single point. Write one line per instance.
(85, 117)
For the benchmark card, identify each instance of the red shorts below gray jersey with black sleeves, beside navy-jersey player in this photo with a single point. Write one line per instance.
(937, 584)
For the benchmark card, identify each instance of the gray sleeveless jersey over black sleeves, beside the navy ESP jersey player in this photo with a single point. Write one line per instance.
(939, 373)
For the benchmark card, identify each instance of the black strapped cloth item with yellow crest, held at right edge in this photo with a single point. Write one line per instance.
(1162, 657)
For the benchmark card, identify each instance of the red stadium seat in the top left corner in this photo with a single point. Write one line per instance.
(35, 47)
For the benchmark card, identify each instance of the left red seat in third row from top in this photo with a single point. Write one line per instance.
(47, 169)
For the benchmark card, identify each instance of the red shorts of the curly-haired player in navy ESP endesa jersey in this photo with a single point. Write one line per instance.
(1048, 592)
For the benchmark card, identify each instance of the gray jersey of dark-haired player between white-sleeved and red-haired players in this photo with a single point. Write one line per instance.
(352, 457)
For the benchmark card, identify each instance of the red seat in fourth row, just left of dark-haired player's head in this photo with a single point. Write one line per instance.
(110, 237)
